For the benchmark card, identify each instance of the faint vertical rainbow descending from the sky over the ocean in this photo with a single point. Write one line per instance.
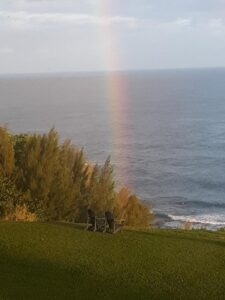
(116, 90)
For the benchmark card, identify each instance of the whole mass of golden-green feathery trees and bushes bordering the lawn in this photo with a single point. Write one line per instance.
(42, 179)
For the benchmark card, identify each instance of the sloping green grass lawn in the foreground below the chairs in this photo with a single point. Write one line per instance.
(50, 261)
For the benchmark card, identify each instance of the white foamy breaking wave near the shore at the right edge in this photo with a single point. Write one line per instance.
(218, 219)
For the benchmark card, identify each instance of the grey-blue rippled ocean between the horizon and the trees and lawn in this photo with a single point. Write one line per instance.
(164, 130)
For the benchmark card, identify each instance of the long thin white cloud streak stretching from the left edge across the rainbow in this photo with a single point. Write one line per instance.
(23, 19)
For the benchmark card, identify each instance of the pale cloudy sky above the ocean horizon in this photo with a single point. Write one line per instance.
(38, 36)
